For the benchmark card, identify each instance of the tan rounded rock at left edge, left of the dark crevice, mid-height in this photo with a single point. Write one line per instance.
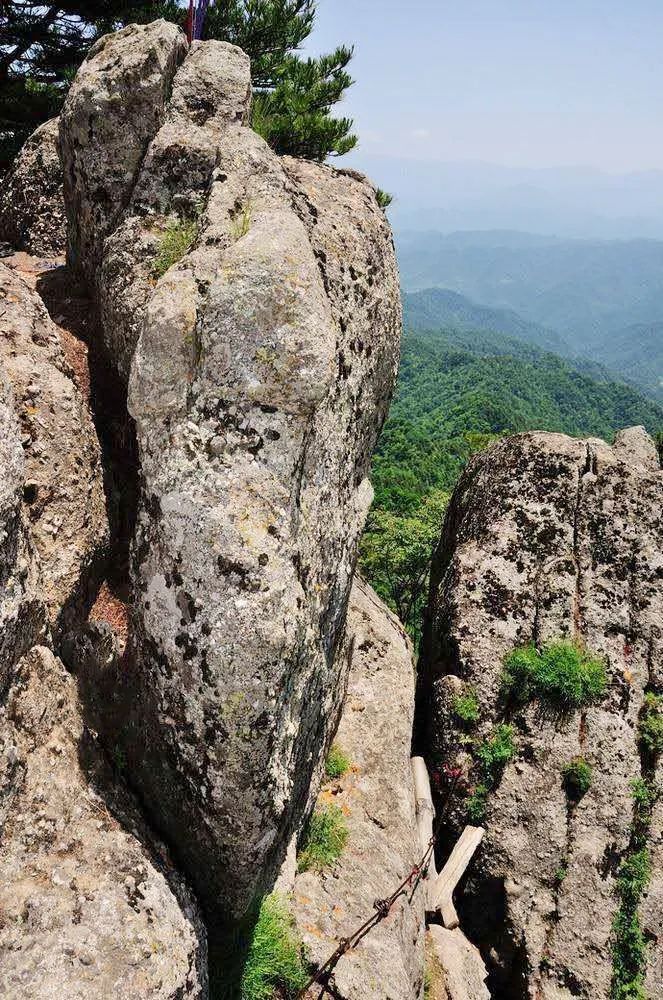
(62, 491)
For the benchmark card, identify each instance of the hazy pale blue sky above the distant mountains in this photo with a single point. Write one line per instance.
(513, 82)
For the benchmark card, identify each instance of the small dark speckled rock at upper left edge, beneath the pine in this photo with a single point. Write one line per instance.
(31, 200)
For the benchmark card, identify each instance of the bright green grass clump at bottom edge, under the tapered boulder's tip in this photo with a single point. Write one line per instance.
(275, 963)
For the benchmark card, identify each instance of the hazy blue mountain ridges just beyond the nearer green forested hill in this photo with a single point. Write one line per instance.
(601, 301)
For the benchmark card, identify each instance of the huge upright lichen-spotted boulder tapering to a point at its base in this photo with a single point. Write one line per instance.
(255, 303)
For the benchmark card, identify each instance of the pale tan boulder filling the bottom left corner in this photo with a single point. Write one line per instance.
(90, 907)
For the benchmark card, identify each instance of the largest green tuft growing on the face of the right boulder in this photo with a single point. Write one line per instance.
(562, 676)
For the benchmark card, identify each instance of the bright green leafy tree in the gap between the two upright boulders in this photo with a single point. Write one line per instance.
(395, 556)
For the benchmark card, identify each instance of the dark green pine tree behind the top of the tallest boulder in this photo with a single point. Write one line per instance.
(42, 45)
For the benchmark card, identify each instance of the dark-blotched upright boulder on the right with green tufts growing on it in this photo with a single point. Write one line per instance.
(549, 537)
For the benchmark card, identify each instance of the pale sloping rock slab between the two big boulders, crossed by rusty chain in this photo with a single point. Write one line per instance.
(376, 797)
